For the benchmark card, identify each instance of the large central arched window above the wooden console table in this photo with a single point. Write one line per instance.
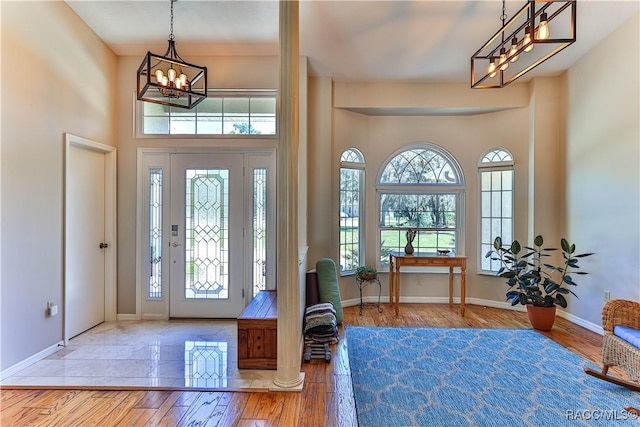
(421, 188)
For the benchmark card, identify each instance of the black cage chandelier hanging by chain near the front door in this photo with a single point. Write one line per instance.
(169, 80)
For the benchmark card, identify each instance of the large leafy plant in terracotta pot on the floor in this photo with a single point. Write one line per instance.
(532, 282)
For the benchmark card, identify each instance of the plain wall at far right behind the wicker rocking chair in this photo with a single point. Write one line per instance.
(603, 169)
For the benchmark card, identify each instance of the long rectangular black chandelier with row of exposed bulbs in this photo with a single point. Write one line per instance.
(528, 39)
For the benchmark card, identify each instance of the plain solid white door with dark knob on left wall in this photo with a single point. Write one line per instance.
(85, 240)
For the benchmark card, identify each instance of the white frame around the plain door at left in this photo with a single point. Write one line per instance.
(110, 272)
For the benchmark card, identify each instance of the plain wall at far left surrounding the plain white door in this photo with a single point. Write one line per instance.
(56, 79)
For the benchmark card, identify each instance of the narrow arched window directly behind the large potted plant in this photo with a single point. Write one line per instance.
(496, 202)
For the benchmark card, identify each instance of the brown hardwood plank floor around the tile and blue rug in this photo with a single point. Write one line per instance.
(326, 400)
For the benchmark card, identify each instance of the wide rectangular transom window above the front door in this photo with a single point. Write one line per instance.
(221, 113)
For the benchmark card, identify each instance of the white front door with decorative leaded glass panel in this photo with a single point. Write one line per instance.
(206, 235)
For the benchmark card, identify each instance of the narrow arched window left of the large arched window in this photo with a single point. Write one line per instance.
(351, 201)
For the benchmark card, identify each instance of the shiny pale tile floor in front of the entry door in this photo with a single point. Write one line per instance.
(180, 354)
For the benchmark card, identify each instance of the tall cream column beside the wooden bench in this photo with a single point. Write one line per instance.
(288, 374)
